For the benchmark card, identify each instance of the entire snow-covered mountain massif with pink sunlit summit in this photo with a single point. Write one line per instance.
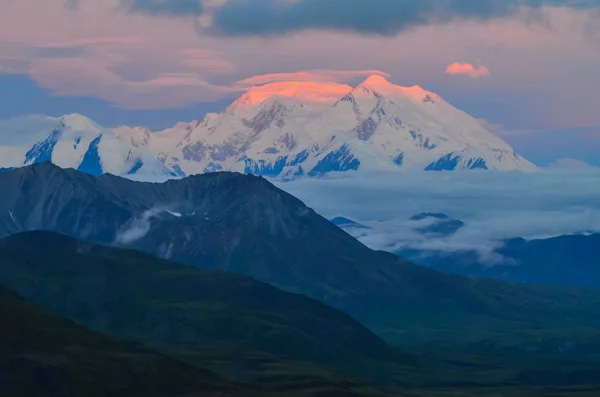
(278, 130)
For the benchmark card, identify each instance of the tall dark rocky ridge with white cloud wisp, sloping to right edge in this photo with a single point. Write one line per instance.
(244, 224)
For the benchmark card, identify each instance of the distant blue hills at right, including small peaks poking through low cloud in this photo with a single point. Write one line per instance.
(568, 260)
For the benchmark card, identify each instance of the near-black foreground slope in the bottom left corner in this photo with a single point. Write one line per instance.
(66, 359)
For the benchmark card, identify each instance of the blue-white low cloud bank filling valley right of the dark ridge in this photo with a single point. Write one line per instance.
(494, 206)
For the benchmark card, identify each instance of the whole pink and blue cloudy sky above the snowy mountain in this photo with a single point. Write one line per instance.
(528, 67)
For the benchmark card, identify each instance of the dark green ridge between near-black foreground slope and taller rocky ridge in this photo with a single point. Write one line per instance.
(183, 309)
